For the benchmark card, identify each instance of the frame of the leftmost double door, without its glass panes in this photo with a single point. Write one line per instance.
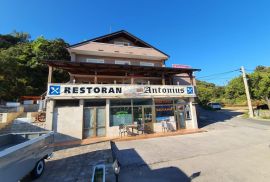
(95, 122)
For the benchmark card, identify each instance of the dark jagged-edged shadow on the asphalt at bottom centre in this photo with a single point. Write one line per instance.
(134, 169)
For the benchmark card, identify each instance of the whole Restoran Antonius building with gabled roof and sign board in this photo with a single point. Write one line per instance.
(119, 79)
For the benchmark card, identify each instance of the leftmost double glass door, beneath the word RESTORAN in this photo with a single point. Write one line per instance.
(94, 122)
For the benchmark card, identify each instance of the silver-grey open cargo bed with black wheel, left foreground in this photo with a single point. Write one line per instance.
(22, 153)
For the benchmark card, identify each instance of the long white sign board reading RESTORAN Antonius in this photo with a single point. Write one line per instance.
(77, 91)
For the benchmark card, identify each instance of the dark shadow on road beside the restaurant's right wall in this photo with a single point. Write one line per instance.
(208, 117)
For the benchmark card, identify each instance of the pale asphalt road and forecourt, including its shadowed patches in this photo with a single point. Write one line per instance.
(232, 149)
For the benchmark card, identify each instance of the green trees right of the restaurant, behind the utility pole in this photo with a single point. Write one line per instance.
(233, 94)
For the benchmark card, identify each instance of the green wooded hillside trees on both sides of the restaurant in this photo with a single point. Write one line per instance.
(22, 73)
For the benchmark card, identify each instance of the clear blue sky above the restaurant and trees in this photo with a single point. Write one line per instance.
(214, 35)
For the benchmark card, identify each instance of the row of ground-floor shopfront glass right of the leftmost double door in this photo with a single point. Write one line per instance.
(138, 111)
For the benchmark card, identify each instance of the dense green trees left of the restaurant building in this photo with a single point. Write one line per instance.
(21, 68)
